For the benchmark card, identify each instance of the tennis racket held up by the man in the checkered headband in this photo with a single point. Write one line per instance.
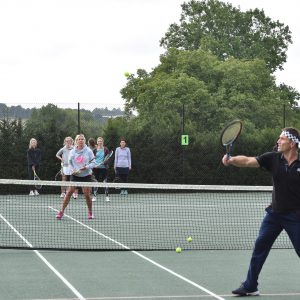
(229, 135)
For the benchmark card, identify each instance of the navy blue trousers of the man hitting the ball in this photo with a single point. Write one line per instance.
(272, 225)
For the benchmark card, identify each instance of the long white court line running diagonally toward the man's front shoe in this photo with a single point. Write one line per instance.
(145, 258)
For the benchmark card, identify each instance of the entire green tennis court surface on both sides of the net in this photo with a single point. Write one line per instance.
(224, 223)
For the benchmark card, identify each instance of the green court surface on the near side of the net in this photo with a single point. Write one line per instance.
(191, 274)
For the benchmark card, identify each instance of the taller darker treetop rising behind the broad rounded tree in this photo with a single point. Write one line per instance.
(226, 31)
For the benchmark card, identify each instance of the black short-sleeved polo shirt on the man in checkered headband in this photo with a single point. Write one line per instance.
(286, 181)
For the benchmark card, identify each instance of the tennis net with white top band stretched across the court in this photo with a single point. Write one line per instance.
(149, 217)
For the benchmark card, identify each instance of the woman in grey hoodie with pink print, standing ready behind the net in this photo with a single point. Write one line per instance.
(82, 161)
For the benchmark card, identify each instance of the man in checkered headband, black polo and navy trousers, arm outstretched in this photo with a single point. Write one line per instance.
(284, 211)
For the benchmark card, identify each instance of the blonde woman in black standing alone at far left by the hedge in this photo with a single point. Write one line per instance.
(33, 162)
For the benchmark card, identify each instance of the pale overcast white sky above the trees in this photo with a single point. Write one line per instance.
(69, 51)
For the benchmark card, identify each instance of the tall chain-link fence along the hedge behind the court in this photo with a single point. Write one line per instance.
(188, 150)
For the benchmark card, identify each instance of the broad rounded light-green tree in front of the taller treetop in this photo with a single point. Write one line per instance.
(213, 91)
